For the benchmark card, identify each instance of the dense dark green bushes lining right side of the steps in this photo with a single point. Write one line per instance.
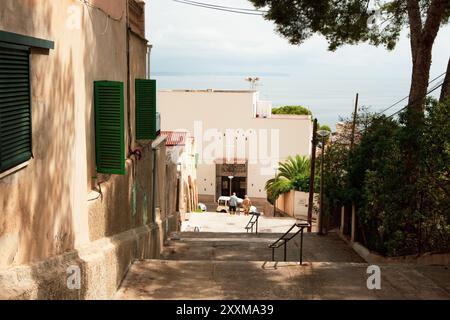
(396, 217)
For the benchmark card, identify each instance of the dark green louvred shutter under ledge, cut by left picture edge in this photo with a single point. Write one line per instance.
(15, 106)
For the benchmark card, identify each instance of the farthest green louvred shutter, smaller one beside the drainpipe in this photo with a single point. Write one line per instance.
(145, 109)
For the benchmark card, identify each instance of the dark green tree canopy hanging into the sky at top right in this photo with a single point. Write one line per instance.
(341, 22)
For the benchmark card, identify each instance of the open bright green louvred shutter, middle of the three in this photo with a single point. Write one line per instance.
(109, 127)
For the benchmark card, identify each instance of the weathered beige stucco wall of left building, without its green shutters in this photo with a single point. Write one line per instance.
(53, 210)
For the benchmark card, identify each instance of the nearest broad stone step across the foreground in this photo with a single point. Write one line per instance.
(260, 280)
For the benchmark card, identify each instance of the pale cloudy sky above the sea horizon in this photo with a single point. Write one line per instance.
(195, 41)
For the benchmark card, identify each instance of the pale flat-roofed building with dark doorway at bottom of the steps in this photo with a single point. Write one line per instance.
(236, 136)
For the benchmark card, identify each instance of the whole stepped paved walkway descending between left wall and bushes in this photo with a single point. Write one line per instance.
(221, 262)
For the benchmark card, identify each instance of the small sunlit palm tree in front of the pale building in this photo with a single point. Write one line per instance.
(293, 174)
